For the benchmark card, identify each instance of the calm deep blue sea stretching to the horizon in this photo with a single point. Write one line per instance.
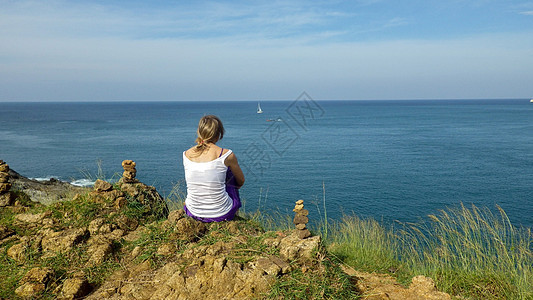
(393, 161)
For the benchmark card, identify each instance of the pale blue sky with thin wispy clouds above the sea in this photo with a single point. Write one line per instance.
(261, 50)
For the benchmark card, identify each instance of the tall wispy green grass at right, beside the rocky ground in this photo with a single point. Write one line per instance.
(468, 252)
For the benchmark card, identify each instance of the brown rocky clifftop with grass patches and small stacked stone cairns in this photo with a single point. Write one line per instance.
(119, 241)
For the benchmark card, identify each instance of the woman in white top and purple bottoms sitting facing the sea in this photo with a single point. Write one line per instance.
(213, 175)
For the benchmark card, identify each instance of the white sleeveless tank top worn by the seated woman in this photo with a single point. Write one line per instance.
(206, 187)
